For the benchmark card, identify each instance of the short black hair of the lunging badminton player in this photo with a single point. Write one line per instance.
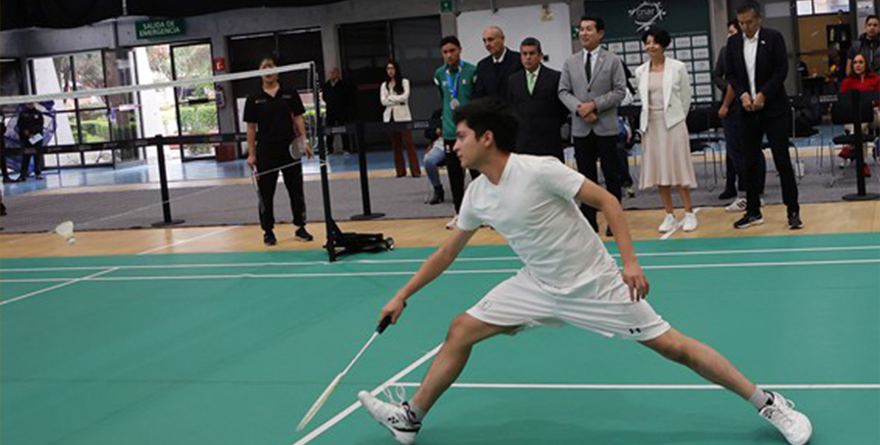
(490, 114)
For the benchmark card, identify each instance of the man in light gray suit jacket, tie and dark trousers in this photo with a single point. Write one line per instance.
(592, 86)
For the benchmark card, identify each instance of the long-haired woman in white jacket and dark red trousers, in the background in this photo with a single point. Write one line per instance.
(394, 94)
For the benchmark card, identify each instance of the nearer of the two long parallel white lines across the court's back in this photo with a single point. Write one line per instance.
(448, 272)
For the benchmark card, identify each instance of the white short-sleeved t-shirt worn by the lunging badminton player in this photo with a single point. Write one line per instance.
(533, 207)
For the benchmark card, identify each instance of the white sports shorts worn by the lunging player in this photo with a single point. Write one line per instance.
(520, 301)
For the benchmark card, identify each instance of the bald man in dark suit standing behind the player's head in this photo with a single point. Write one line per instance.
(494, 70)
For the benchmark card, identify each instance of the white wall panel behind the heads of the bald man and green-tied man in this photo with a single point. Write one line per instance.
(518, 23)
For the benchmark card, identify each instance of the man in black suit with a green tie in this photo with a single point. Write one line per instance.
(533, 92)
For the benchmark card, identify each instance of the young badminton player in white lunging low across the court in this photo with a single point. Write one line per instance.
(568, 276)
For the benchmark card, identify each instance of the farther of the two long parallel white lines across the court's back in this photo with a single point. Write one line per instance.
(419, 261)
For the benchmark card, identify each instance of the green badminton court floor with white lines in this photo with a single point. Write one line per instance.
(233, 348)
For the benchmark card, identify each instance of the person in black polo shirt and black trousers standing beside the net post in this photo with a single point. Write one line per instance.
(271, 115)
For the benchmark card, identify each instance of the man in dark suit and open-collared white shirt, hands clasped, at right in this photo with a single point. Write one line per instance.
(757, 64)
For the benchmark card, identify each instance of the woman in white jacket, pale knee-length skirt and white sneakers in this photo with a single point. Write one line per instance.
(665, 93)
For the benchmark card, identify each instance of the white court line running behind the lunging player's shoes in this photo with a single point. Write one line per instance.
(644, 386)
